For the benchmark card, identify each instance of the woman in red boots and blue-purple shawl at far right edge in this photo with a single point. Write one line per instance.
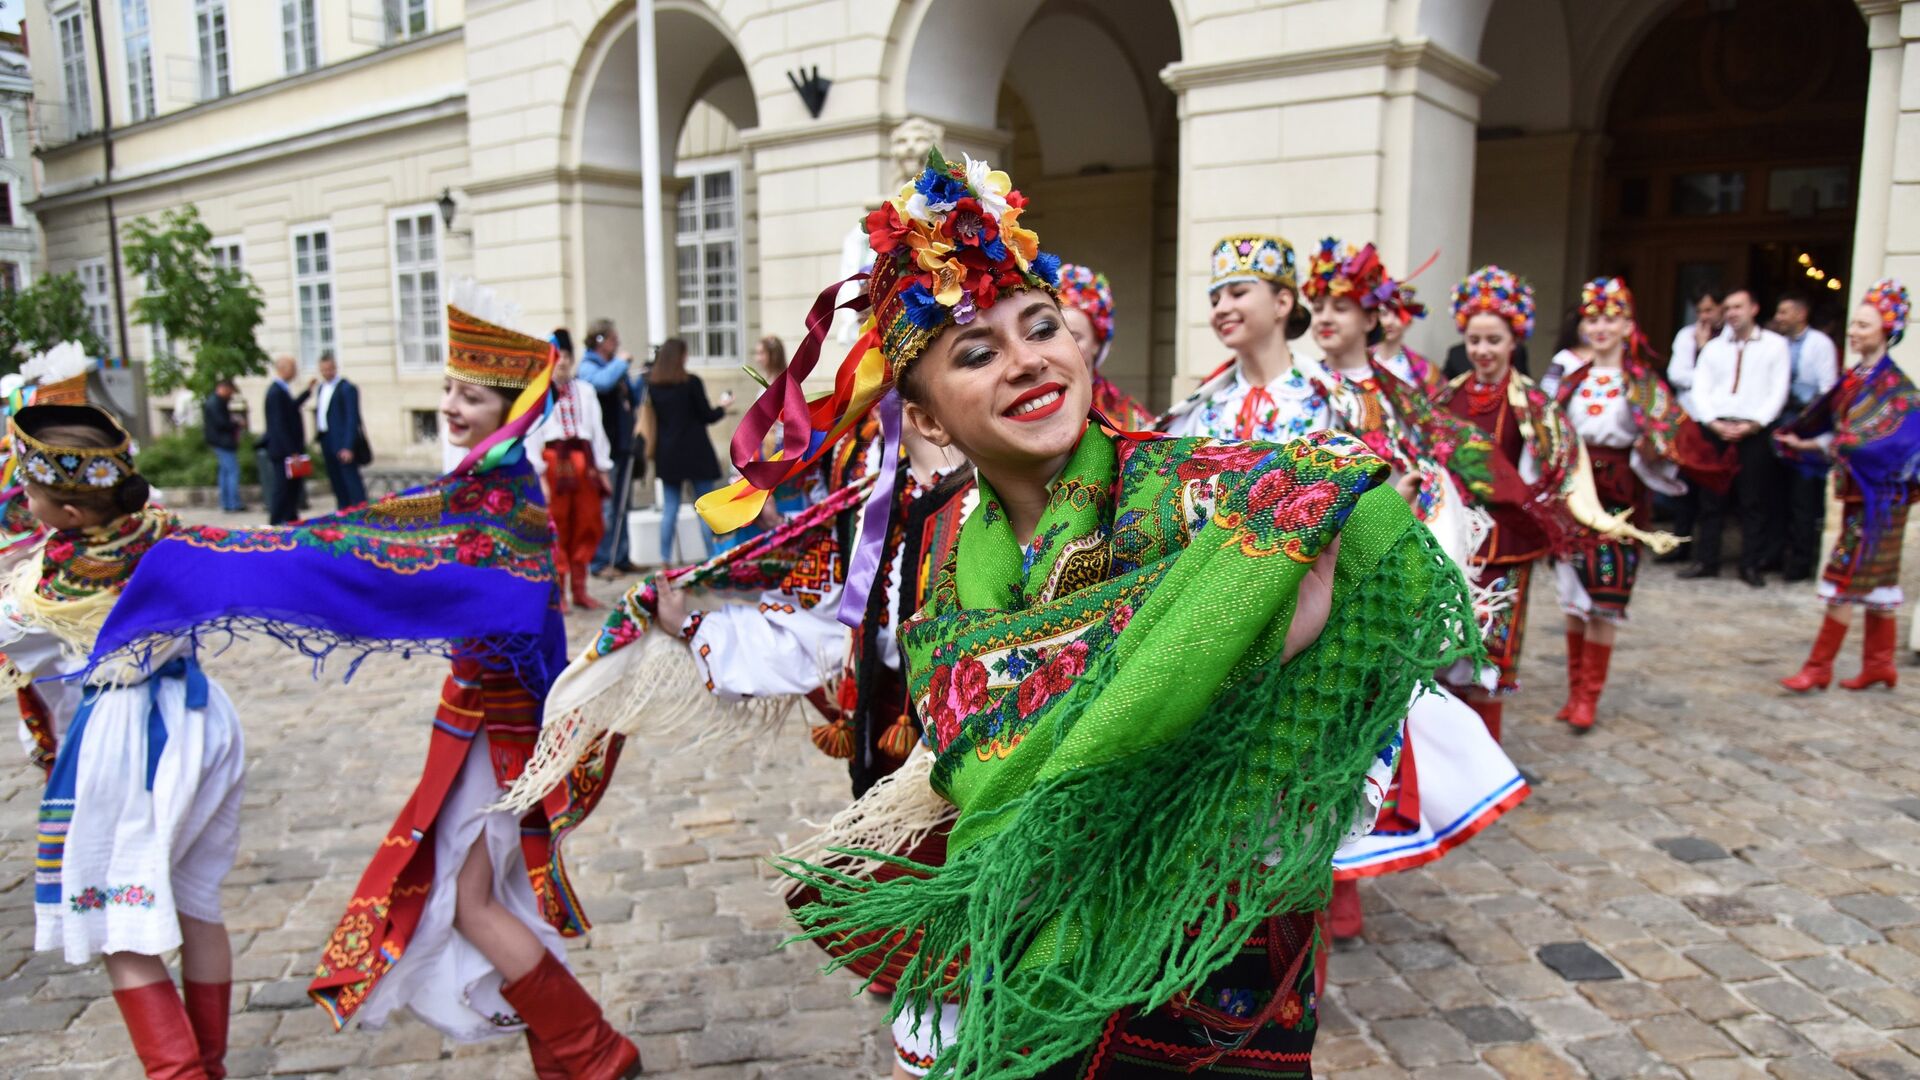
(1871, 426)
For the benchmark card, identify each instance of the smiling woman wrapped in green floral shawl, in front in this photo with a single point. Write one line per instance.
(1092, 670)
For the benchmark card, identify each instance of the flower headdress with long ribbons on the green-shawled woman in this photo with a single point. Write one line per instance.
(946, 249)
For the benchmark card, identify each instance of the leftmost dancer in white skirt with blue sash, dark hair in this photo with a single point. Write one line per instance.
(141, 816)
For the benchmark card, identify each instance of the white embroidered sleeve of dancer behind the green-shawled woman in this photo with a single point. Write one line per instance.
(773, 649)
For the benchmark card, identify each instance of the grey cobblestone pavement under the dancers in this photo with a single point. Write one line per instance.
(1744, 866)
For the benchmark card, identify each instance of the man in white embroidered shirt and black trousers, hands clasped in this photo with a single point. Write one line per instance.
(1740, 385)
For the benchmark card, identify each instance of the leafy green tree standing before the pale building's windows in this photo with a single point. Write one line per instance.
(208, 312)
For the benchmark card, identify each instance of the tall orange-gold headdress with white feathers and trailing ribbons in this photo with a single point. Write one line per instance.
(485, 353)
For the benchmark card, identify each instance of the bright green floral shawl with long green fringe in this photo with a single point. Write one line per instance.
(1141, 777)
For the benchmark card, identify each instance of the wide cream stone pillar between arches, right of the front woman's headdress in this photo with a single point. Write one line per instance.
(1356, 139)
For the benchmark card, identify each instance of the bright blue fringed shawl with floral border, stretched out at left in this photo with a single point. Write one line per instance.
(462, 566)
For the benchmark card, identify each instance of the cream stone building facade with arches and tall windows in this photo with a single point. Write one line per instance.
(1520, 132)
